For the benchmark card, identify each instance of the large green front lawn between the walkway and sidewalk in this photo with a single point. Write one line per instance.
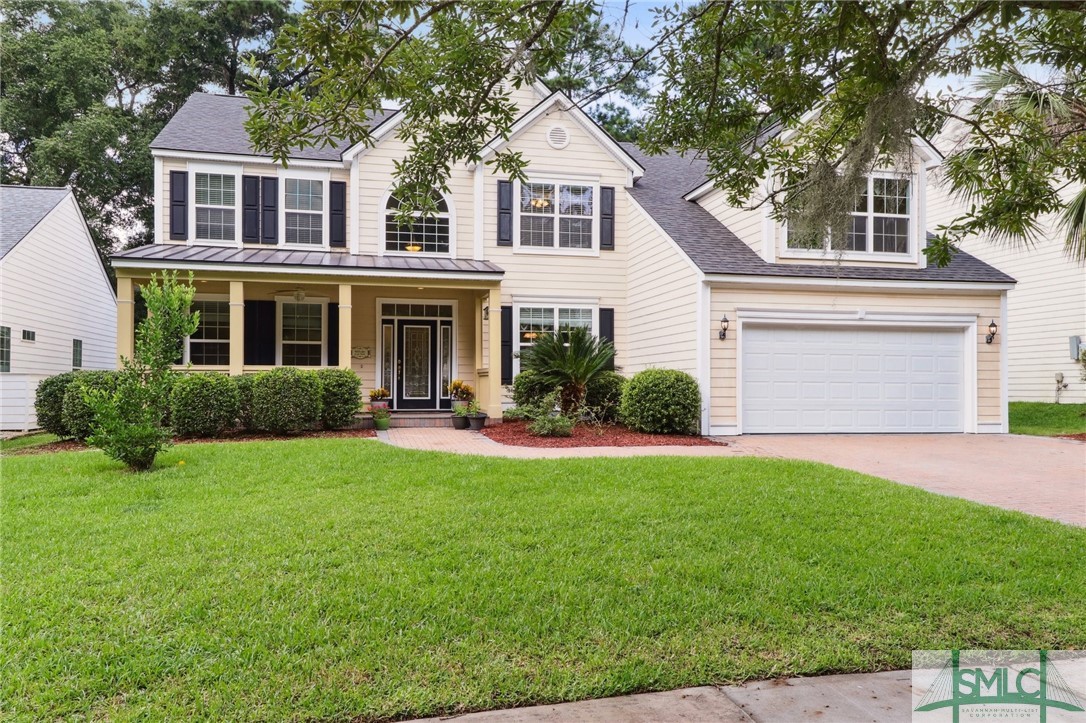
(334, 579)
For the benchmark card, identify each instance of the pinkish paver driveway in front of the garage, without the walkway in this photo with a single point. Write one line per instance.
(1036, 475)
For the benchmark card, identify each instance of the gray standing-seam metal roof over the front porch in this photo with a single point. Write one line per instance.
(324, 260)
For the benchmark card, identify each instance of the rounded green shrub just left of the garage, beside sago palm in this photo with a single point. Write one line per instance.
(662, 402)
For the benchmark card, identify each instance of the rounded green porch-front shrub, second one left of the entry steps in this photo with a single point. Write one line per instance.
(286, 401)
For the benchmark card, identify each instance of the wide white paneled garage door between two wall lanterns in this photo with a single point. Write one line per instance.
(822, 379)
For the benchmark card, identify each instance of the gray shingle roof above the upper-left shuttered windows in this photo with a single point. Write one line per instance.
(216, 124)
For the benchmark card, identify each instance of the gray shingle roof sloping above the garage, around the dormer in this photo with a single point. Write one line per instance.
(716, 250)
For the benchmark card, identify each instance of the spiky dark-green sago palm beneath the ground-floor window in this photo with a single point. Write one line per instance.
(569, 361)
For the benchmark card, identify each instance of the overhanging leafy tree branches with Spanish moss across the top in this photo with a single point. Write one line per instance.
(733, 78)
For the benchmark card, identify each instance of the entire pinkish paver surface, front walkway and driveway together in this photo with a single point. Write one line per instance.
(1038, 476)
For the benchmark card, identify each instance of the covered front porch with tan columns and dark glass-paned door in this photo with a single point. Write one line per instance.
(411, 337)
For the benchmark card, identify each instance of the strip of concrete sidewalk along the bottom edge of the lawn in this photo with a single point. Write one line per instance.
(860, 699)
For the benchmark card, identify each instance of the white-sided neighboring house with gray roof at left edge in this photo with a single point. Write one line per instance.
(58, 311)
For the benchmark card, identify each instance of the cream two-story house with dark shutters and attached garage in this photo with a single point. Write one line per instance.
(306, 267)
